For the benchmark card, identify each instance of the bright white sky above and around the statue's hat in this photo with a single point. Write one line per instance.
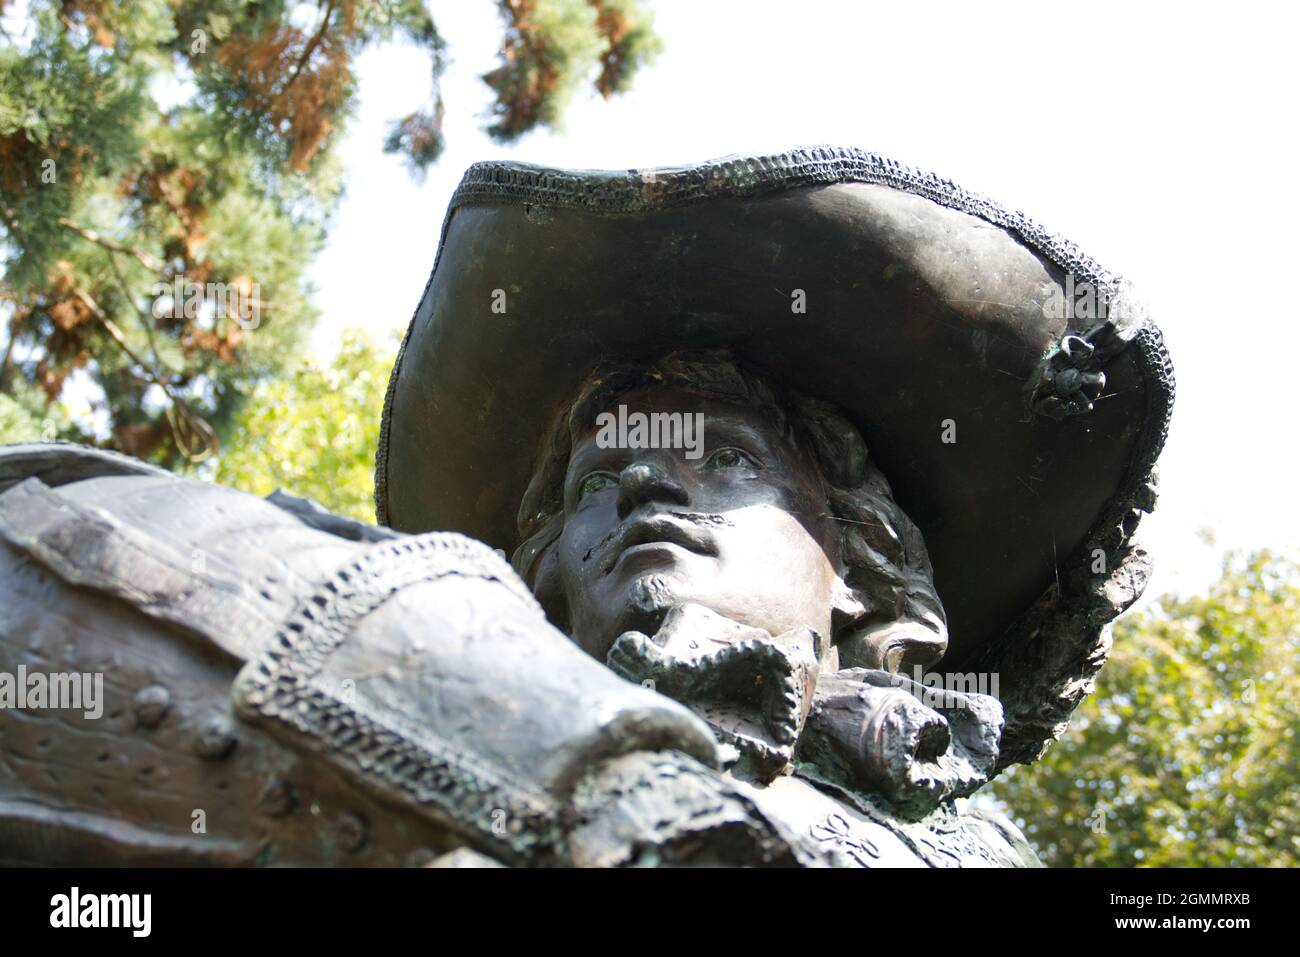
(1162, 141)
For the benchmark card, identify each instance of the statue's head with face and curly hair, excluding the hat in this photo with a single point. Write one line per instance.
(769, 512)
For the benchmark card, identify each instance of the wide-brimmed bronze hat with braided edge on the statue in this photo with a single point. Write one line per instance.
(1013, 392)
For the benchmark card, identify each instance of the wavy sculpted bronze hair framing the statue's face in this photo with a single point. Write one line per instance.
(894, 618)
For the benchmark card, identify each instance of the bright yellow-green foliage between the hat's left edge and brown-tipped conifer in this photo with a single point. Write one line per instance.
(314, 432)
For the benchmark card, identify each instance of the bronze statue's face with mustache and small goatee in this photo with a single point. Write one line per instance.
(739, 526)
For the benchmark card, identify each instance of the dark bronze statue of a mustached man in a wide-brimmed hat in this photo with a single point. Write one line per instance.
(723, 629)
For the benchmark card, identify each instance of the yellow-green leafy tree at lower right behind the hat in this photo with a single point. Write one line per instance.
(1188, 755)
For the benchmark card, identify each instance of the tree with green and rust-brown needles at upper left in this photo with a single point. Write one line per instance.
(168, 171)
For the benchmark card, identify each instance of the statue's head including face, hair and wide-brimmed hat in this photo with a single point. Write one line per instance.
(924, 314)
